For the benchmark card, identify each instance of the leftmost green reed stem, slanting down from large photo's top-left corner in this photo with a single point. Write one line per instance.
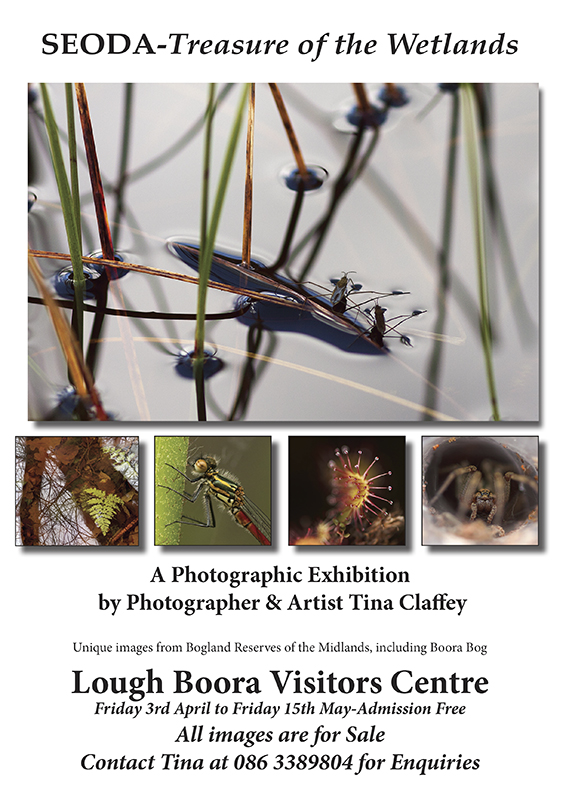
(68, 205)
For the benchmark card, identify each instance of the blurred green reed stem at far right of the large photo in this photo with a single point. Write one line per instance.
(471, 134)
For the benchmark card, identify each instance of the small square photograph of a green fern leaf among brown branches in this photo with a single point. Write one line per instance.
(77, 491)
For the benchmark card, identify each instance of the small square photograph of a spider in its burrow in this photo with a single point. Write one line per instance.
(480, 490)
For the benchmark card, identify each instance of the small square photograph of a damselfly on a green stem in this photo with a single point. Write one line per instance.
(213, 490)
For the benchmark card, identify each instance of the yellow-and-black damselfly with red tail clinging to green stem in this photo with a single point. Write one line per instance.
(229, 493)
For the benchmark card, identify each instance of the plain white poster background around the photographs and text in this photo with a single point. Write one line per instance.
(515, 604)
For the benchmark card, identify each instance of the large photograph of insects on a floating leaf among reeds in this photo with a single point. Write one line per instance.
(365, 252)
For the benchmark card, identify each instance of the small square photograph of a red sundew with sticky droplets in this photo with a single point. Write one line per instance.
(347, 490)
